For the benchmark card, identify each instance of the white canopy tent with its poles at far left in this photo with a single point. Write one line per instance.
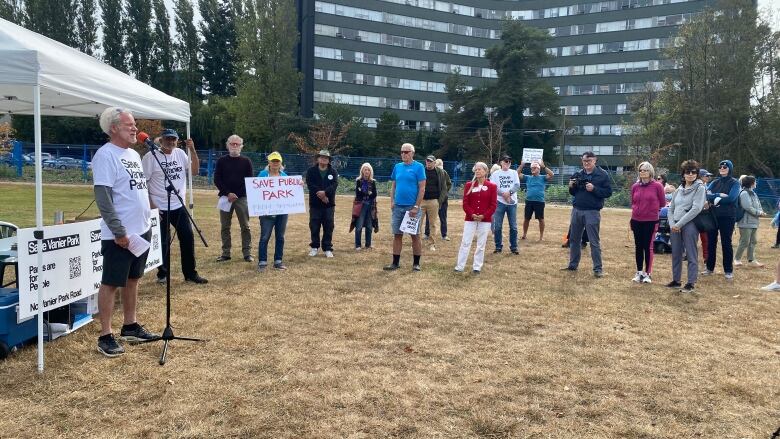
(40, 76)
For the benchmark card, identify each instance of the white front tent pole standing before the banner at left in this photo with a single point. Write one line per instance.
(38, 214)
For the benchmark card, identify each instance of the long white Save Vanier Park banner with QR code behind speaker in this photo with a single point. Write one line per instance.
(72, 264)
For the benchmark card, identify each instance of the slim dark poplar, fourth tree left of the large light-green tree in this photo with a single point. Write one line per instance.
(139, 43)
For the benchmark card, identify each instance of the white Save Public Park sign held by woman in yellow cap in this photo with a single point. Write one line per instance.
(275, 195)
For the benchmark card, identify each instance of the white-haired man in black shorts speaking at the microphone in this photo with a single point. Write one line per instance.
(123, 200)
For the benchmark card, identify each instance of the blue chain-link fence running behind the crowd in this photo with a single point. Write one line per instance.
(71, 164)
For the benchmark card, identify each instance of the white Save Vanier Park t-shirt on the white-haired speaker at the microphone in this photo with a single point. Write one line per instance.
(121, 170)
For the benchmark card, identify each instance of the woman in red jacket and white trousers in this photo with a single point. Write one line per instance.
(479, 202)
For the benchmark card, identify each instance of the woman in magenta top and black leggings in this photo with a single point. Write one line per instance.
(647, 199)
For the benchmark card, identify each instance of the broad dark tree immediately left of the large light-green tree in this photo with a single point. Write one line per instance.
(218, 46)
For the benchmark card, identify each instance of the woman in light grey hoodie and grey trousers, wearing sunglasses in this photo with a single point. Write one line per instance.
(687, 201)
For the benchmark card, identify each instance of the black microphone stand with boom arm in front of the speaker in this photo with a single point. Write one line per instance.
(167, 335)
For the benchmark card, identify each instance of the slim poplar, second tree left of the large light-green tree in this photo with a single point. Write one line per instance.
(189, 80)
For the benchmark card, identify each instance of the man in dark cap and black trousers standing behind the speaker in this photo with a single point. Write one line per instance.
(174, 162)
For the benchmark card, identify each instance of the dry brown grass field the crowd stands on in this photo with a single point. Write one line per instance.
(339, 348)
